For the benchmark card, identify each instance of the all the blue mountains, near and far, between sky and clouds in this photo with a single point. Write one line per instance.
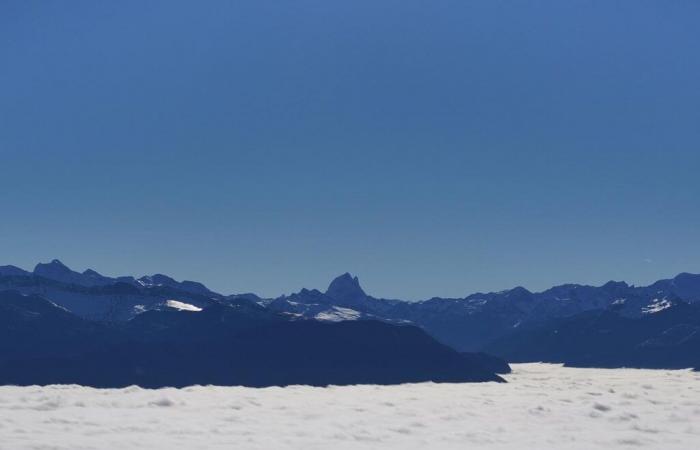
(612, 325)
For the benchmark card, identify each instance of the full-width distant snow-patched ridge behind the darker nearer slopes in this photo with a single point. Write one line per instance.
(466, 324)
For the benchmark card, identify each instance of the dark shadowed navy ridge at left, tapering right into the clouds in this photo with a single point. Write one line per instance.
(241, 344)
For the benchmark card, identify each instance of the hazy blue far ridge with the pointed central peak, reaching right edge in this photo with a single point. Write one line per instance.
(469, 323)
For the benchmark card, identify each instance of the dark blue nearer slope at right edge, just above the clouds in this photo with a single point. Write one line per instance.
(666, 336)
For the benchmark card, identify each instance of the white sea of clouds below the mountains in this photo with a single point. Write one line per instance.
(542, 407)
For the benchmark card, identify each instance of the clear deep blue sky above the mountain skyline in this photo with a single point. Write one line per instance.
(430, 147)
